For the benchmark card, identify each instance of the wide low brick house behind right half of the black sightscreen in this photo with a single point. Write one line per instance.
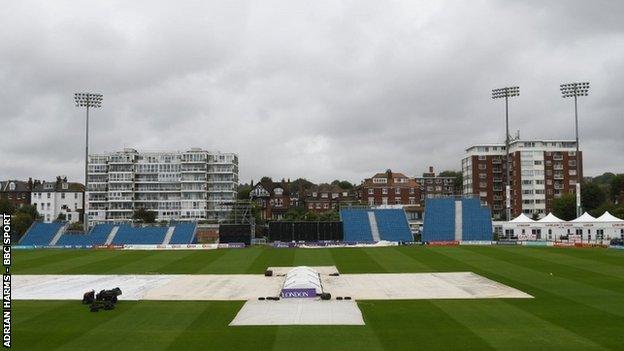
(327, 197)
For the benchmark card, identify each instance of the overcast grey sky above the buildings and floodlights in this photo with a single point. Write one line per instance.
(315, 89)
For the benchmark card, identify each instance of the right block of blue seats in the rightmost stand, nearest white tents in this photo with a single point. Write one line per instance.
(476, 220)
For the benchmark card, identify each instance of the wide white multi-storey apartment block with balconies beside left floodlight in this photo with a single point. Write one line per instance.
(188, 185)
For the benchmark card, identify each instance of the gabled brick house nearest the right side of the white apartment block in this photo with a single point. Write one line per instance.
(273, 199)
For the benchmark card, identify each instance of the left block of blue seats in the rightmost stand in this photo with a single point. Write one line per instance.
(439, 221)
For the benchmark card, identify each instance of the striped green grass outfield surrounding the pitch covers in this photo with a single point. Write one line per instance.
(578, 304)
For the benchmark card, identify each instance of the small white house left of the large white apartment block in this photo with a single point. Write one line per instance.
(58, 198)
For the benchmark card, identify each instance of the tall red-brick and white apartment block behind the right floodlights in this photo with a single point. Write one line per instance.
(540, 171)
